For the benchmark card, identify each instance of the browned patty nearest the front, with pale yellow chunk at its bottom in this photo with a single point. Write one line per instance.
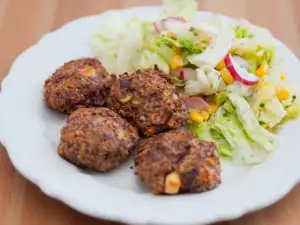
(176, 162)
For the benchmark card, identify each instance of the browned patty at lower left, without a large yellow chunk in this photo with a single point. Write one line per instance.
(97, 139)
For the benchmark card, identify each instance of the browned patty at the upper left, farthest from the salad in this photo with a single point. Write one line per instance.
(78, 83)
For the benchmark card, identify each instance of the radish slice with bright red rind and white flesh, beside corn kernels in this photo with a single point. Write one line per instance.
(239, 73)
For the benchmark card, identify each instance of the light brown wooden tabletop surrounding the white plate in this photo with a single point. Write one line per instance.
(23, 22)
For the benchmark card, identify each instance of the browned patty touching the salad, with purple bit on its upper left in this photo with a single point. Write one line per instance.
(148, 100)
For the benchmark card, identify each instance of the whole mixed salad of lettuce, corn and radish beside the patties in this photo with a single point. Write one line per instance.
(229, 72)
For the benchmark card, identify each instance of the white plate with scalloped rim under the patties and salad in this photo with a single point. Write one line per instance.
(30, 132)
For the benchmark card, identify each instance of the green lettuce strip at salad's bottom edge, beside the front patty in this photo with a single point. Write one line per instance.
(227, 131)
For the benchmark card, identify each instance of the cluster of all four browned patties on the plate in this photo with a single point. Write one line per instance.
(107, 113)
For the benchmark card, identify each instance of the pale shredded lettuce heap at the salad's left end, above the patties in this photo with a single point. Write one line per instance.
(121, 52)
